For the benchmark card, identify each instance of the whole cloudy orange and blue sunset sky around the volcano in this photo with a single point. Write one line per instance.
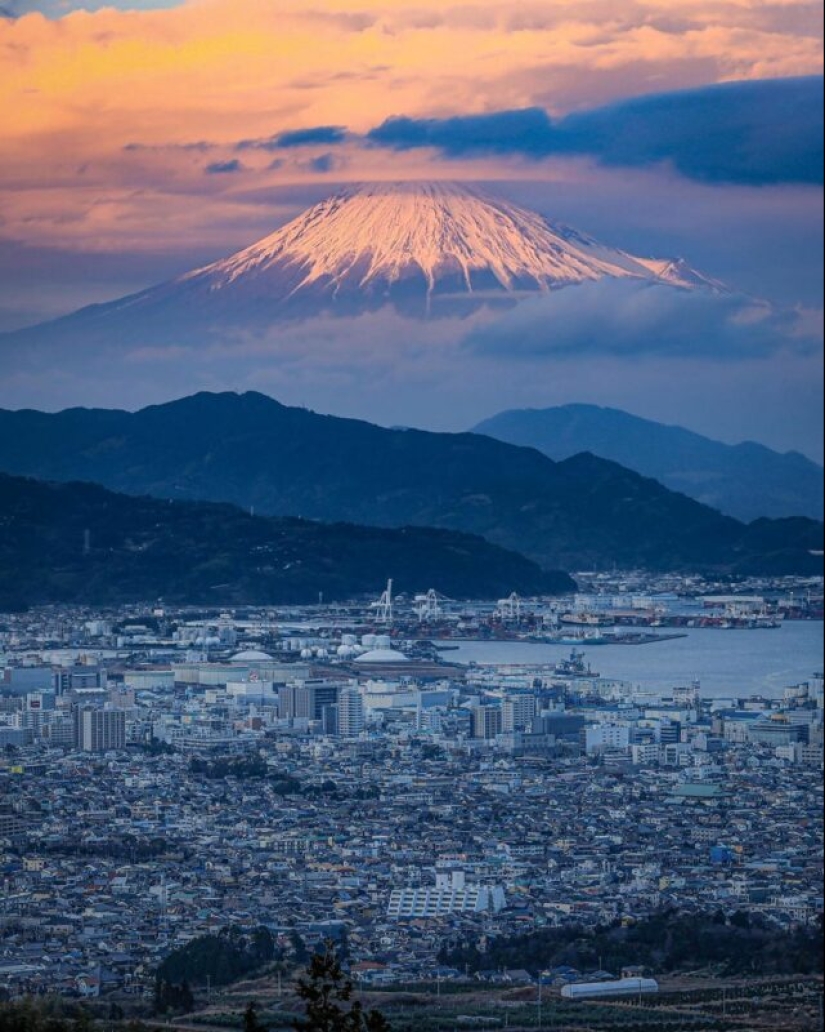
(141, 140)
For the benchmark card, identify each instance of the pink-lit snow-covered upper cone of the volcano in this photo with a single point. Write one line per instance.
(422, 239)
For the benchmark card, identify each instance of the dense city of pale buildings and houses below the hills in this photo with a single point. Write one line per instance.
(331, 773)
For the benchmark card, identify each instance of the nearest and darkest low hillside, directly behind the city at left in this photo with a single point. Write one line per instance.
(82, 543)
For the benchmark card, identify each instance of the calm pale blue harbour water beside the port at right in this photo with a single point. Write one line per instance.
(726, 663)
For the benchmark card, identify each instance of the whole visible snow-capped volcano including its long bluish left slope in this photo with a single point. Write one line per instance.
(426, 249)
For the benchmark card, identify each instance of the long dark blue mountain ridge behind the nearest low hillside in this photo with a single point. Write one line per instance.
(250, 450)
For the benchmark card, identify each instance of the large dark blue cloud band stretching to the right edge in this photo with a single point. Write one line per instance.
(758, 133)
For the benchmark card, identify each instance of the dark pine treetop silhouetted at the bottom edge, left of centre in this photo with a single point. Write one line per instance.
(328, 995)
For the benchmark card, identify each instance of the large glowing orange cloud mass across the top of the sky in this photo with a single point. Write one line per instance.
(75, 92)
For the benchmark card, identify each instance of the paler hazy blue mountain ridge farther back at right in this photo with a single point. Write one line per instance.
(747, 480)
